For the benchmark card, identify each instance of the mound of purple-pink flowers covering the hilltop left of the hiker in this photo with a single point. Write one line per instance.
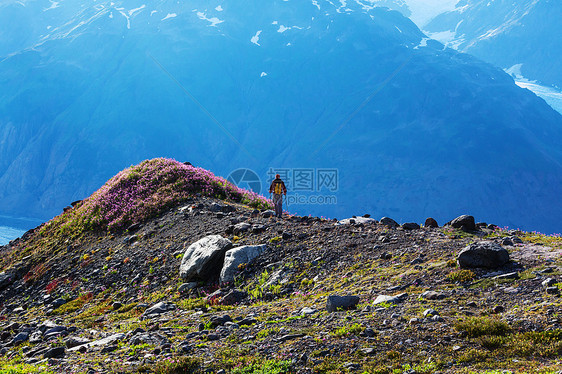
(145, 190)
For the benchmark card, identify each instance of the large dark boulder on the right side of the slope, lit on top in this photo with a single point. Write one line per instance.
(485, 254)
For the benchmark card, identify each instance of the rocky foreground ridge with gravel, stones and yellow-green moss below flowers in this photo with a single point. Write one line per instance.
(308, 295)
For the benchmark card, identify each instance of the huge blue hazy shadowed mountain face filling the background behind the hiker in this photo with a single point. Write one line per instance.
(413, 130)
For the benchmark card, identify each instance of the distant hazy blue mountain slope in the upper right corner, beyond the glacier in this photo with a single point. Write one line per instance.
(507, 33)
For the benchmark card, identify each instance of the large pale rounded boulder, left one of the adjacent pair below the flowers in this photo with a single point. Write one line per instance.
(203, 259)
